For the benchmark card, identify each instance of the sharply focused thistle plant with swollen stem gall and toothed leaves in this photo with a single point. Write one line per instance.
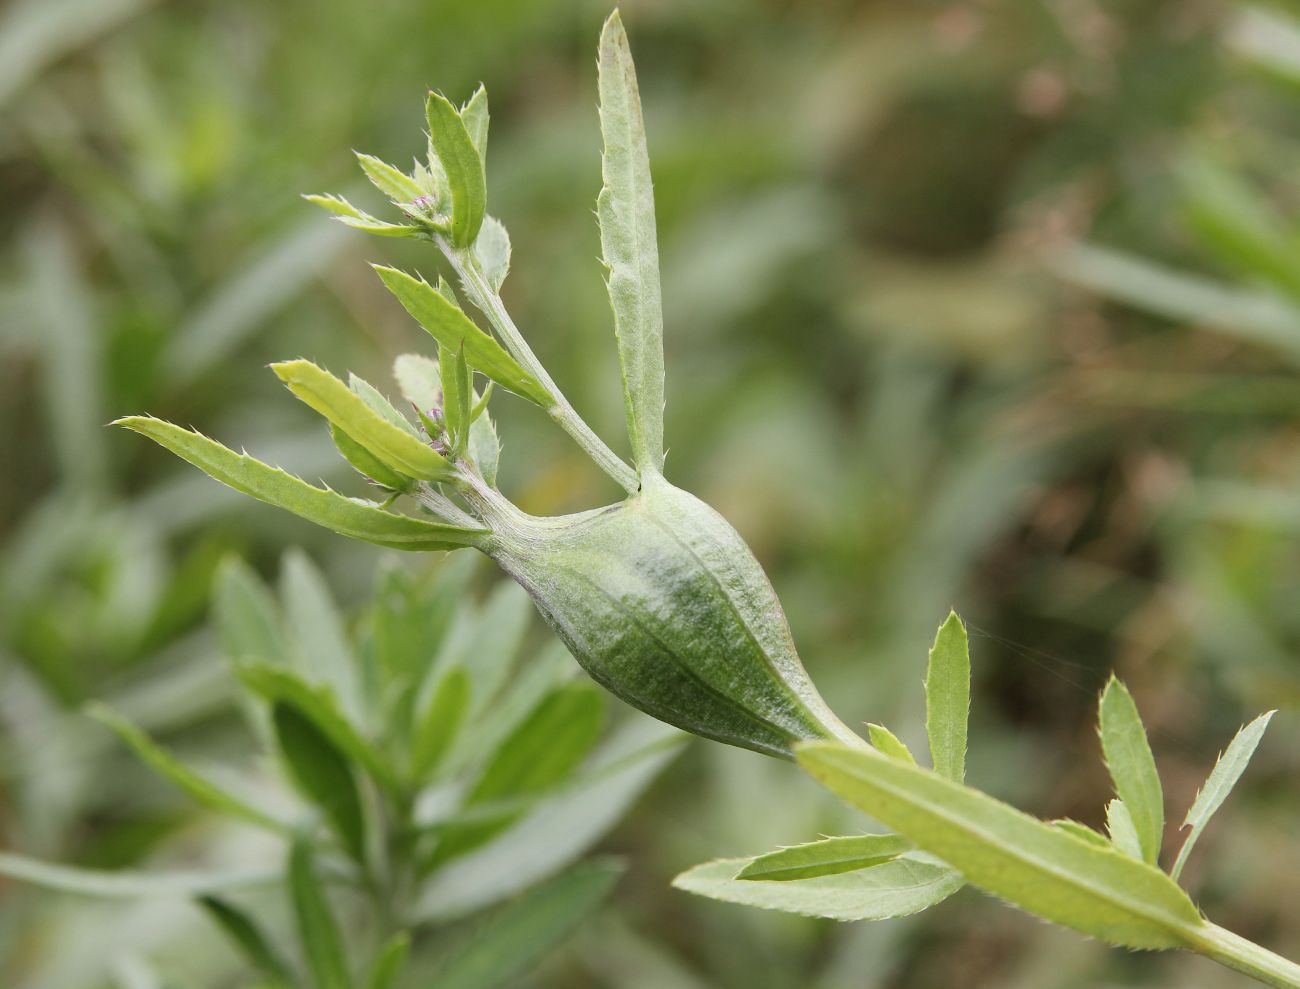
(662, 602)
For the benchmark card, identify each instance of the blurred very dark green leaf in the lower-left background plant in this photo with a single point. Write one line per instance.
(323, 774)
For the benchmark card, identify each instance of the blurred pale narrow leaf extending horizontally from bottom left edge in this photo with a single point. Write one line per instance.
(122, 884)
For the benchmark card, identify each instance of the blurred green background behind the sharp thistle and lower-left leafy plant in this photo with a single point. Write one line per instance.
(982, 305)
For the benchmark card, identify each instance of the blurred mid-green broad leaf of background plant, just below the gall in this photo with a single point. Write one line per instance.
(540, 754)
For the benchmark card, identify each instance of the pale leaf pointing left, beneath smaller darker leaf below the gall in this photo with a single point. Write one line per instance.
(899, 888)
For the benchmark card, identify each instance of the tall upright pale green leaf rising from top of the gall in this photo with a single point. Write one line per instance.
(626, 214)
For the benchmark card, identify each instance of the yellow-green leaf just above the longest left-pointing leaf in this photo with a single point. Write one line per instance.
(346, 410)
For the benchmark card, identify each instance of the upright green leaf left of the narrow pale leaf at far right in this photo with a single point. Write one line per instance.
(1133, 767)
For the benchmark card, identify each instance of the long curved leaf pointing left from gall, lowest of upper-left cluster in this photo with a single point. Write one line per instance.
(348, 517)
